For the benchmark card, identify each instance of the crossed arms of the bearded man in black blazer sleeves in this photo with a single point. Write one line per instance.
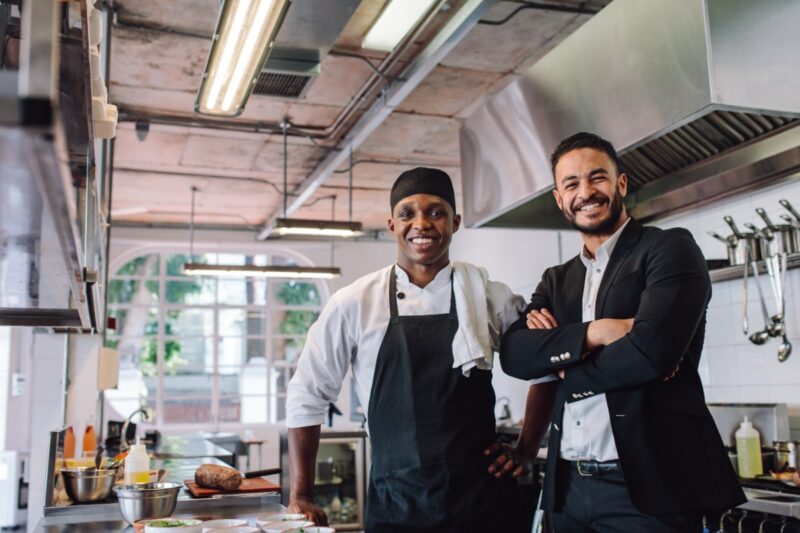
(610, 354)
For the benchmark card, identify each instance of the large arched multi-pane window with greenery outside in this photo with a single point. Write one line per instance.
(216, 351)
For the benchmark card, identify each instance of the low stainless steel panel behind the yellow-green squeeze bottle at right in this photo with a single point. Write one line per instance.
(770, 419)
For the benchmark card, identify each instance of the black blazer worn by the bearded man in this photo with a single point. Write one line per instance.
(672, 455)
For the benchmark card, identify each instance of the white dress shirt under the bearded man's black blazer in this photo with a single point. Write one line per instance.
(587, 424)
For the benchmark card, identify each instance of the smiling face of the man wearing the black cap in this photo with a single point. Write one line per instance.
(423, 225)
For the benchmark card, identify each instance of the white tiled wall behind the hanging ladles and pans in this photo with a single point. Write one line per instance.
(732, 368)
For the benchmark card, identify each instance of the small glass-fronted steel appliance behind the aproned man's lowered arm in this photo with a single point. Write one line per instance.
(341, 479)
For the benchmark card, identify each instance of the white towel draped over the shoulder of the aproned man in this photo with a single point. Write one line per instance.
(472, 345)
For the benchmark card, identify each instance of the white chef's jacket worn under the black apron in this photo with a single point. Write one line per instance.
(350, 330)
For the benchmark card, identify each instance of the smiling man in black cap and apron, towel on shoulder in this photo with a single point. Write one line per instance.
(419, 336)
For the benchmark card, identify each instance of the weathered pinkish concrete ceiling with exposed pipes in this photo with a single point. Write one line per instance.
(158, 54)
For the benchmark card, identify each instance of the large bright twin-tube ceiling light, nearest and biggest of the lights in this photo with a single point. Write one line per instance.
(245, 33)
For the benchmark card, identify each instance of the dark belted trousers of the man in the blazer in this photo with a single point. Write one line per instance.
(601, 504)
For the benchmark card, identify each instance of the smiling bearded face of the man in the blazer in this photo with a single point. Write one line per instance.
(590, 191)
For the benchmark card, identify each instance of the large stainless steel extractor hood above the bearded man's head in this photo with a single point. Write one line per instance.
(700, 97)
